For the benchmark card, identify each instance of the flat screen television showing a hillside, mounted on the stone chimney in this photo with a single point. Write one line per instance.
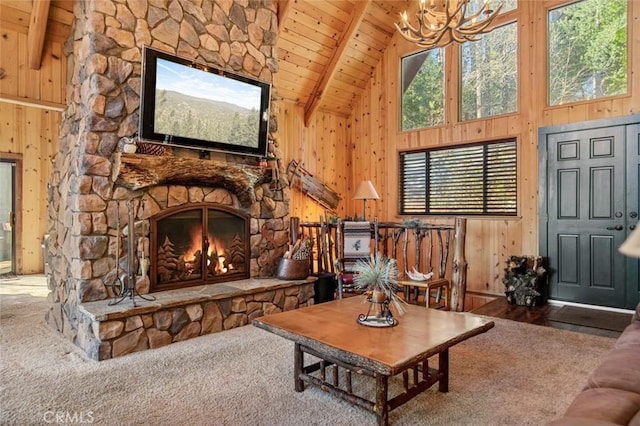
(198, 106)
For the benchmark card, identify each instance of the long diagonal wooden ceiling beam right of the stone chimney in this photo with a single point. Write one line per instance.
(357, 15)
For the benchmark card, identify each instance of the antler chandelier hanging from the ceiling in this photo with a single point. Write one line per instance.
(441, 22)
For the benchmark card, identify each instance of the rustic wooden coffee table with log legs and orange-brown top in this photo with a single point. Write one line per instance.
(330, 332)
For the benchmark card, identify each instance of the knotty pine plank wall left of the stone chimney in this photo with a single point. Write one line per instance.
(31, 102)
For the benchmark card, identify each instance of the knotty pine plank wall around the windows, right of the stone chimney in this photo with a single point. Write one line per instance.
(373, 141)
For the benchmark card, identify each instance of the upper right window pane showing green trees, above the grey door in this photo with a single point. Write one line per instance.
(587, 50)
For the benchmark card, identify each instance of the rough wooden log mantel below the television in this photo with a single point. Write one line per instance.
(137, 171)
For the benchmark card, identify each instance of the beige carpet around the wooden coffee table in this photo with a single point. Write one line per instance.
(515, 374)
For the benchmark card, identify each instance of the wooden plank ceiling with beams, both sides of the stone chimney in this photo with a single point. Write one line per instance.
(327, 49)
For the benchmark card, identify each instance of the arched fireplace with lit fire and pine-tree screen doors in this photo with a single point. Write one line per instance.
(198, 244)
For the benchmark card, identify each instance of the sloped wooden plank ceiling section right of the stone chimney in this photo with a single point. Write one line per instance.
(327, 50)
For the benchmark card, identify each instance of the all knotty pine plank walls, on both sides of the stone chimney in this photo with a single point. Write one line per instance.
(339, 150)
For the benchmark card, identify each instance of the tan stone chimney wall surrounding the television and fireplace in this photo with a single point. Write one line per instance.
(87, 210)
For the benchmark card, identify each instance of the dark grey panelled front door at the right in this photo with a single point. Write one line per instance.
(588, 208)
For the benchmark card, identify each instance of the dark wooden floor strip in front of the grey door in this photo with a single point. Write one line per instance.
(499, 308)
